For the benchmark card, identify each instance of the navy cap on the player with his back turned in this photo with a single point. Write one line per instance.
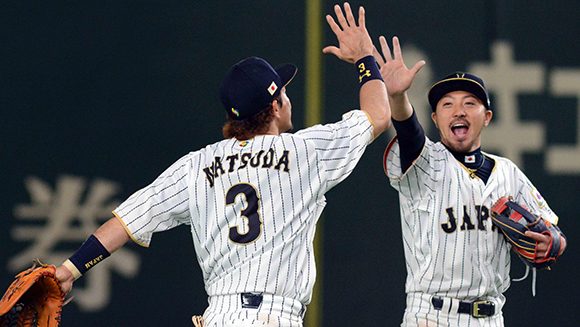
(251, 85)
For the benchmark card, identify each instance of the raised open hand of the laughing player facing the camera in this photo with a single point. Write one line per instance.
(398, 78)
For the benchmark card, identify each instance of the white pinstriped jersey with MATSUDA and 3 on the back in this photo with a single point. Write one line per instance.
(252, 205)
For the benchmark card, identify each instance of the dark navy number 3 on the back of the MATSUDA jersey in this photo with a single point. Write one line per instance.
(249, 213)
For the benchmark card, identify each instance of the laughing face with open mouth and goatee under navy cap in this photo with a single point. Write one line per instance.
(460, 117)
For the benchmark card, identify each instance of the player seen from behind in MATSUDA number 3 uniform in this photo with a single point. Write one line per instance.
(253, 199)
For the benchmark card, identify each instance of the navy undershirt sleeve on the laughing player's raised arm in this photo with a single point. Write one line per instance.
(411, 138)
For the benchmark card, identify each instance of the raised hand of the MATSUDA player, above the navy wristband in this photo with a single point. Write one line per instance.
(354, 41)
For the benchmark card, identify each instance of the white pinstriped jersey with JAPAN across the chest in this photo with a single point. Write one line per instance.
(450, 247)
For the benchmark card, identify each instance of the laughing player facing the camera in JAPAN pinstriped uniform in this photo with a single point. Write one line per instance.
(457, 262)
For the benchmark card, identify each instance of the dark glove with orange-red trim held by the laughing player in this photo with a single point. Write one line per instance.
(513, 220)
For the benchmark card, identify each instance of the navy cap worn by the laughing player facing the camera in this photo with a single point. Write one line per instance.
(459, 81)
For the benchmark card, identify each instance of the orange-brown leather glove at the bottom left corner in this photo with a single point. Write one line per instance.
(33, 299)
